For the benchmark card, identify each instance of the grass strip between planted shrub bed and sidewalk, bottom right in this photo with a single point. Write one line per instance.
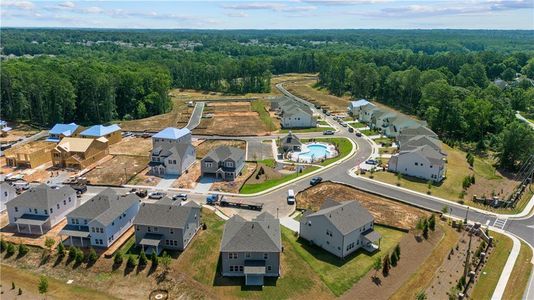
(491, 272)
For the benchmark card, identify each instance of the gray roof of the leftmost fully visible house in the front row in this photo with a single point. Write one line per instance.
(42, 196)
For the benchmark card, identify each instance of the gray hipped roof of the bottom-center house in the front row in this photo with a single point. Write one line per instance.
(262, 234)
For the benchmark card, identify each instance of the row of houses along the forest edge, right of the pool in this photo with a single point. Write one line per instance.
(420, 152)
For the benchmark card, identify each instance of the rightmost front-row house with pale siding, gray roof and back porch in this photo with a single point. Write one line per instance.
(340, 228)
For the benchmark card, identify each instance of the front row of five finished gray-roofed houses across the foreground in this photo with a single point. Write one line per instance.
(250, 249)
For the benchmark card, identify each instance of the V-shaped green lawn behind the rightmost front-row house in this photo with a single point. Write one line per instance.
(341, 275)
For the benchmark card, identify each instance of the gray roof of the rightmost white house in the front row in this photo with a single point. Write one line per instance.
(346, 216)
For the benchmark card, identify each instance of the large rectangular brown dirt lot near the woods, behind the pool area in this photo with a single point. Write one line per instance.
(231, 119)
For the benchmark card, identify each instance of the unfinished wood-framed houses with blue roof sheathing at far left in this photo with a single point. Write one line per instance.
(67, 146)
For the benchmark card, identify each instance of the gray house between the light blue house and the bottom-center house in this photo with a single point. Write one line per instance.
(166, 225)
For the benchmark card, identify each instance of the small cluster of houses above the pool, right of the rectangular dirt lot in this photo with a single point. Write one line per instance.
(292, 113)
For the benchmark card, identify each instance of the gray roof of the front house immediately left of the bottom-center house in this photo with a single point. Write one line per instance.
(166, 215)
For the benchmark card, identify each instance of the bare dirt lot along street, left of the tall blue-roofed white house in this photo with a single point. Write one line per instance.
(117, 171)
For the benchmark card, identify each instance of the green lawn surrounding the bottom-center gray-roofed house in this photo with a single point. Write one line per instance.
(201, 261)
